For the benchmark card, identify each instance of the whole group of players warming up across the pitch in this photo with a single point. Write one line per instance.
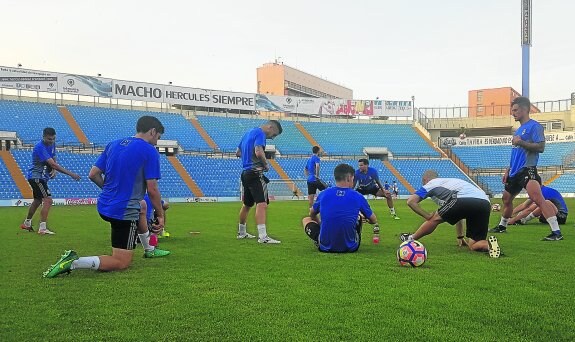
(129, 168)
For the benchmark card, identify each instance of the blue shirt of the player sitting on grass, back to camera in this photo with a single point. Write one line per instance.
(339, 208)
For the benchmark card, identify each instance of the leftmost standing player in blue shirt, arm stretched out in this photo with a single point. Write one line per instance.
(44, 167)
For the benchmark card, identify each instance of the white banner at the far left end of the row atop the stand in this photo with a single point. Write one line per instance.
(23, 79)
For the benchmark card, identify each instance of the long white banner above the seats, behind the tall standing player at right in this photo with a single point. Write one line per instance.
(502, 140)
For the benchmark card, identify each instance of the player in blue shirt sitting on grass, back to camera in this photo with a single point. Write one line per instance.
(339, 229)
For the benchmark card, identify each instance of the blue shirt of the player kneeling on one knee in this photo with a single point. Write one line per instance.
(127, 164)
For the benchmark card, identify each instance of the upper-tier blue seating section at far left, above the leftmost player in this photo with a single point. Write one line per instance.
(28, 119)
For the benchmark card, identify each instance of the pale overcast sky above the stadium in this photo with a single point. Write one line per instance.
(434, 50)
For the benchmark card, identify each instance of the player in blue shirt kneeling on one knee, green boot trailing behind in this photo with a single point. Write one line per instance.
(126, 169)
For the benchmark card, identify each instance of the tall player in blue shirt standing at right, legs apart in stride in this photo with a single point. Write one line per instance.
(528, 142)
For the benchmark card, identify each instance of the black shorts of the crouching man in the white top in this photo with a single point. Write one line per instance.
(476, 212)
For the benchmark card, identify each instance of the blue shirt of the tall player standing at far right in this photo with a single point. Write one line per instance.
(532, 132)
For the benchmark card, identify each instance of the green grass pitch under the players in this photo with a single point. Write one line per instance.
(214, 287)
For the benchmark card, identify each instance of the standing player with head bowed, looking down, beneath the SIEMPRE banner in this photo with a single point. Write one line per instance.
(252, 151)
